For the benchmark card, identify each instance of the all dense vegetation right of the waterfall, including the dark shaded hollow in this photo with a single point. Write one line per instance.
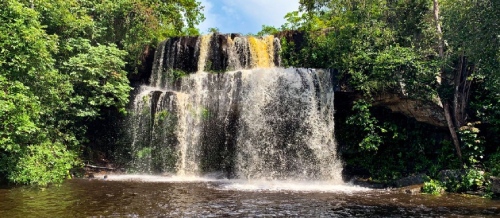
(438, 52)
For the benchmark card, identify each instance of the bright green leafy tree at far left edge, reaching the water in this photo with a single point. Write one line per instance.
(31, 92)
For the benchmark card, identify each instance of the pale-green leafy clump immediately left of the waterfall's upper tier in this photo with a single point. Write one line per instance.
(99, 79)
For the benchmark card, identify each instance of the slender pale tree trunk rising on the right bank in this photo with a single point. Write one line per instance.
(447, 113)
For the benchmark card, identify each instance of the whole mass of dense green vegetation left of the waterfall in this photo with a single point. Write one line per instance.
(64, 62)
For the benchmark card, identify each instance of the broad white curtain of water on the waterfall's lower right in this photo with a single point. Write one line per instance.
(287, 126)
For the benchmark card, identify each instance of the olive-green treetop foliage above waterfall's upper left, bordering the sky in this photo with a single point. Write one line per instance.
(132, 24)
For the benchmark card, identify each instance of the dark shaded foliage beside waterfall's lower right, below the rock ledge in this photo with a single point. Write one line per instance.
(407, 147)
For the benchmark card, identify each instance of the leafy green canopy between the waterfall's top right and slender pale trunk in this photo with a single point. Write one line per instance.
(369, 44)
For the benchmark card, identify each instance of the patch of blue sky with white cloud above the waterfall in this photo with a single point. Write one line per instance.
(245, 16)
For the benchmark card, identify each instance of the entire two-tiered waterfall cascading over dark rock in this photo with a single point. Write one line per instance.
(254, 121)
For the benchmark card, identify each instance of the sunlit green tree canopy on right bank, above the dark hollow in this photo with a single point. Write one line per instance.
(445, 54)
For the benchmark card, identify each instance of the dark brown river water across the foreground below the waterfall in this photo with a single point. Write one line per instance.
(122, 196)
